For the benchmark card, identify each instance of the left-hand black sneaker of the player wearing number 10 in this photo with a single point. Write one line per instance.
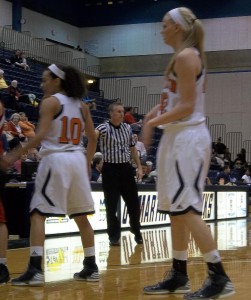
(32, 277)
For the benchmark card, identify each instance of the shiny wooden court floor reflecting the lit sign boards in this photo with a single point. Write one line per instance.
(125, 270)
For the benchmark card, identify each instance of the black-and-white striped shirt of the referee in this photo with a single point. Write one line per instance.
(115, 142)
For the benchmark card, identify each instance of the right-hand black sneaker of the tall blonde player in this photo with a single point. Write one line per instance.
(216, 286)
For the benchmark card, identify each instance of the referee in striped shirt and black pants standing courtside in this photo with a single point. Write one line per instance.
(117, 146)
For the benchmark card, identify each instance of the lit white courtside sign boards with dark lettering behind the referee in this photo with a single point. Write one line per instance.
(216, 205)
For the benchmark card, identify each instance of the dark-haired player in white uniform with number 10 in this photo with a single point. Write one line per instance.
(62, 183)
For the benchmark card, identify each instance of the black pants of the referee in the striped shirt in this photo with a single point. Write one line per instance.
(118, 180)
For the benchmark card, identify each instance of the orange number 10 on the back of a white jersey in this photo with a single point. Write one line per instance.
(75, 131)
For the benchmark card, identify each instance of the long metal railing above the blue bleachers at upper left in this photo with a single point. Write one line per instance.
(48, 52)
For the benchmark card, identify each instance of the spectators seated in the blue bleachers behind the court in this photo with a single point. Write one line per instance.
(224, 169)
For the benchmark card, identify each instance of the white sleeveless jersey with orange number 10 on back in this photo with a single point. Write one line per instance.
(66, 132)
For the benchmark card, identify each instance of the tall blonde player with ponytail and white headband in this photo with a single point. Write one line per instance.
(183, 157)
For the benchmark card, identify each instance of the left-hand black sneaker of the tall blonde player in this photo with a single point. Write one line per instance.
(174, 283)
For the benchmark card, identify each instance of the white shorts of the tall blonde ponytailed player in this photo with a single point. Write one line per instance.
(182, 163)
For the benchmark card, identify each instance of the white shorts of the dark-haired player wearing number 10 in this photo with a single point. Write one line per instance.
(62, 185)
